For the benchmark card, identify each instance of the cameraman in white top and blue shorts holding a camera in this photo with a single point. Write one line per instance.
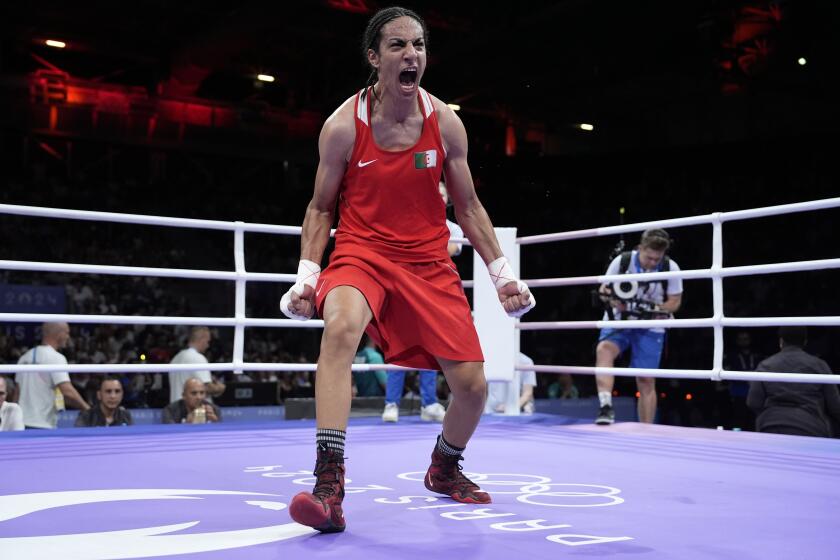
(637, 300)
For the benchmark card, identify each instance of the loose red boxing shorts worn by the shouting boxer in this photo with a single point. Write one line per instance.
(419, 310)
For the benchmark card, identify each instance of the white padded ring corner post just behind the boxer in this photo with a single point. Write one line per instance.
(496, 331)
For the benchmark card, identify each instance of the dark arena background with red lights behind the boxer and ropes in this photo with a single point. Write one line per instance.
(698, 106)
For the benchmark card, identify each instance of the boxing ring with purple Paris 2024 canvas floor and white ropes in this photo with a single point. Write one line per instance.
(221, 491)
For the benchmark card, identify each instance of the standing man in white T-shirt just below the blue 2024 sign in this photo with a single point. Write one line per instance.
(43, 394)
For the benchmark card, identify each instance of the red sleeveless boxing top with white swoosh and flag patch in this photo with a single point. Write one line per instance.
(389, 201)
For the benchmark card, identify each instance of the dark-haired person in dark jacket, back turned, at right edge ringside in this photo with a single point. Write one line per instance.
(804, 409)
